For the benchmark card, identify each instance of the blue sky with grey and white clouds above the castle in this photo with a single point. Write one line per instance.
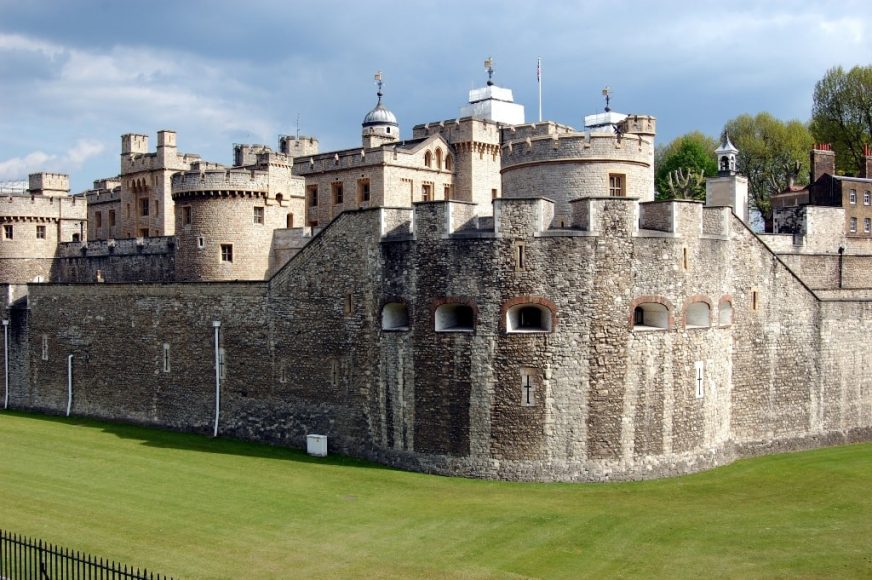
(76, 75)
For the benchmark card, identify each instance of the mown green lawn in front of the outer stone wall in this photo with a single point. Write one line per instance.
(194, 507)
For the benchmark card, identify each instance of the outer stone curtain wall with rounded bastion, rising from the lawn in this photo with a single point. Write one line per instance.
(306, 352)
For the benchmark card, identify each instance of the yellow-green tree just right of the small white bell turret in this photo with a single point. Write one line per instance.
(773, 155)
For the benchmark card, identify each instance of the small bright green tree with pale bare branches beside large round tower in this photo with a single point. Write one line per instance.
(690, 153)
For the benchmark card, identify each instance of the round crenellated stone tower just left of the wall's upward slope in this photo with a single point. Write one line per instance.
(224, 224)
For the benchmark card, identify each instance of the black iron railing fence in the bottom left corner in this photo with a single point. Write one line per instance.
(23, 558)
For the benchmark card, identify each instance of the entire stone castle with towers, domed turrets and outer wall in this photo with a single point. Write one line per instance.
(490, 298)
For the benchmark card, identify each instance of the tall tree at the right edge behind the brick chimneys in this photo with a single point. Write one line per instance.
(842, 114)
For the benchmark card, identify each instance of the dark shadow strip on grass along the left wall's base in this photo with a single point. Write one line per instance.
(162, 438)
